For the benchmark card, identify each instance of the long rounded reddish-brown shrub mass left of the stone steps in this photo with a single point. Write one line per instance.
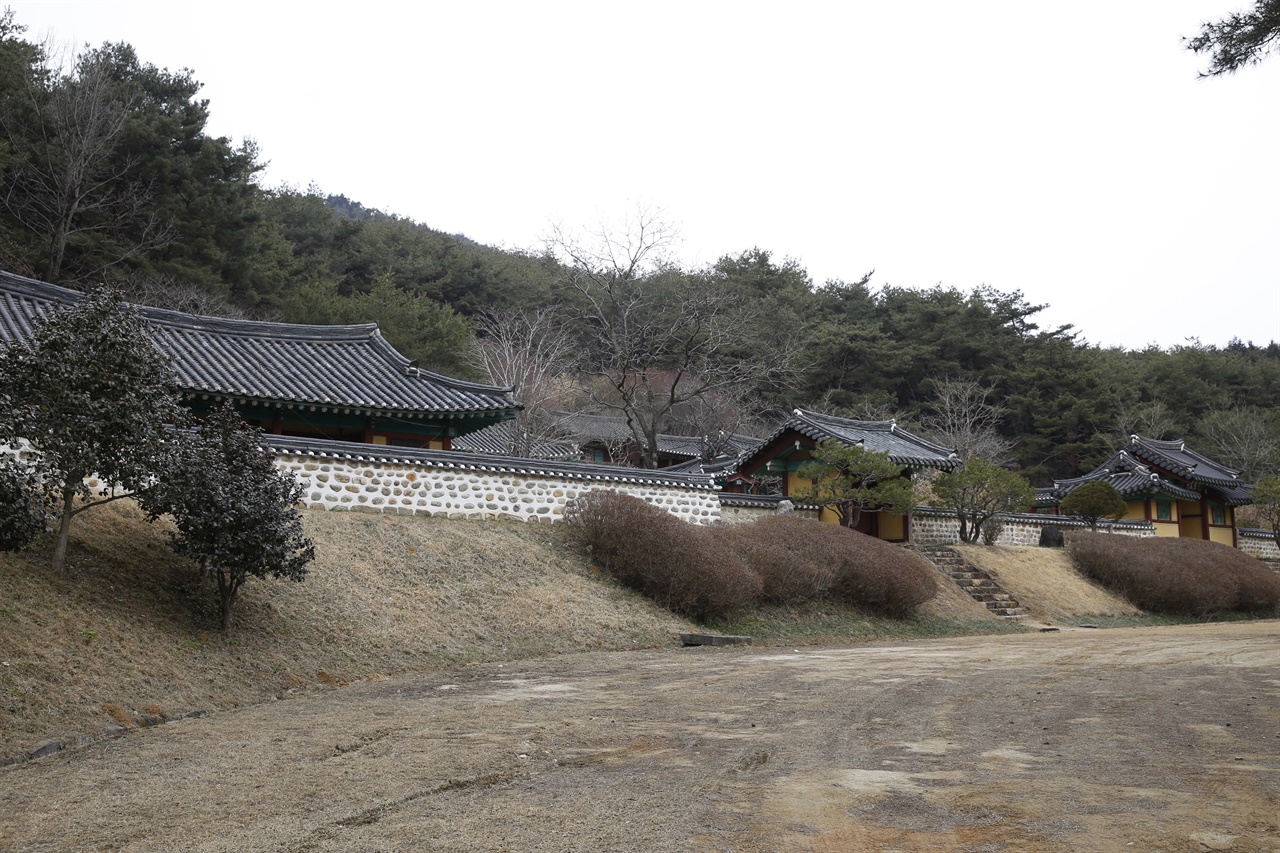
(707, 573)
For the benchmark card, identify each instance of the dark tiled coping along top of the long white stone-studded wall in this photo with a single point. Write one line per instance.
(463, 462)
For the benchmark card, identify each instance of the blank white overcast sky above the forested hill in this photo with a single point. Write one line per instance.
(1066, 150)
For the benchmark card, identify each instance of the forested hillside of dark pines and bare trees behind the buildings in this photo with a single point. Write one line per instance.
(108, 175)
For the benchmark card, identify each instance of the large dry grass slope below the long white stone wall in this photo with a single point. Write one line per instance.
(132, 635)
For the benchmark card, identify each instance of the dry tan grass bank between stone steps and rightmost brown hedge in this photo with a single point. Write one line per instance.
(1046, 581)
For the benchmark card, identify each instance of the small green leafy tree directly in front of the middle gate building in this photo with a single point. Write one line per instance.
(852, 481)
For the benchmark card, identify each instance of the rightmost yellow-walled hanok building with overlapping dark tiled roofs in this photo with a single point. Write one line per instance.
(1178, 491)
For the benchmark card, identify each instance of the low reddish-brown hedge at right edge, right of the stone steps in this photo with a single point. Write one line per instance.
(1181, 577)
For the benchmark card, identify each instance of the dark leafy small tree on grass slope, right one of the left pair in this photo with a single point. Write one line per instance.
(236, 514)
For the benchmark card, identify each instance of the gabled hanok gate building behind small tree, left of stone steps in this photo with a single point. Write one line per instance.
(776, 462)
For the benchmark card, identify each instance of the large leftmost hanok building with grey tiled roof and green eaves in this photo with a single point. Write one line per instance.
(332, 382)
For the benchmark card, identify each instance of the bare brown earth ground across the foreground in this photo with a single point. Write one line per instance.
(1135, 740)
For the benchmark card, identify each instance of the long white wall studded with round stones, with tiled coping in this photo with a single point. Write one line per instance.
(369, 478)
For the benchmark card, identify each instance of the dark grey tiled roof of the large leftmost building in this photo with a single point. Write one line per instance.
(344, 368)
